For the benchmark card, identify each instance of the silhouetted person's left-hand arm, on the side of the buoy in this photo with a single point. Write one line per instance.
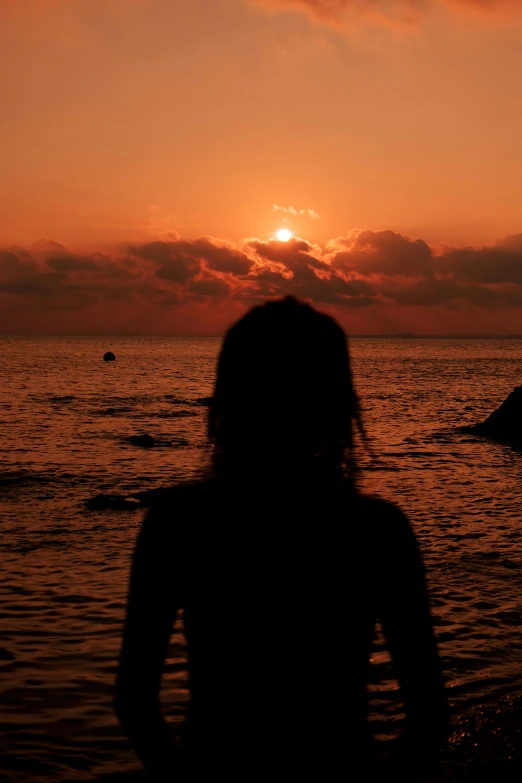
(151, 611)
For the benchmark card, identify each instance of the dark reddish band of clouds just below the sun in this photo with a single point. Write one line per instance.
(374, 271)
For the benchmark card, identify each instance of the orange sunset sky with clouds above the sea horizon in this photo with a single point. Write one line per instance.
(152, 149)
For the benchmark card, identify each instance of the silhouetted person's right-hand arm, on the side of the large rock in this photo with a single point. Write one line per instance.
(407, 626)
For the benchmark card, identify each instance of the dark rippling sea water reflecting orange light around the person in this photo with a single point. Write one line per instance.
(66, 418)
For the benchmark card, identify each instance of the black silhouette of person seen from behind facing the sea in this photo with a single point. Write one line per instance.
(281, 569)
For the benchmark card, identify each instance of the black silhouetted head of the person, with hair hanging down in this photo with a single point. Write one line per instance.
(283, 398)
